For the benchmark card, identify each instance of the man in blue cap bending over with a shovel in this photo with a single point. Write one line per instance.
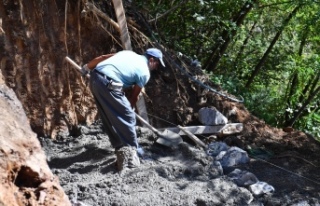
(109, 75)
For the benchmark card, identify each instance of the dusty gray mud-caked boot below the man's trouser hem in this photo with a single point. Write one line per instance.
(127, 157)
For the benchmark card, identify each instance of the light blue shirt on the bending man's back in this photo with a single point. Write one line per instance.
(126, 67)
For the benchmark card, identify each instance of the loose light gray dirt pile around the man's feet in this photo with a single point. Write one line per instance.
(167, 176)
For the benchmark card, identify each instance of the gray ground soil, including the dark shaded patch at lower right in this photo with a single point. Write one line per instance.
(85, 165)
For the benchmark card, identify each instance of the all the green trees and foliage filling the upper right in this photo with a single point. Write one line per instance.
(194, 27)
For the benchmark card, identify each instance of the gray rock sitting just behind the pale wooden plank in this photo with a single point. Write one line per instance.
(211, 116)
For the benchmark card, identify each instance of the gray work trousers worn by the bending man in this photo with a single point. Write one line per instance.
(115, 111)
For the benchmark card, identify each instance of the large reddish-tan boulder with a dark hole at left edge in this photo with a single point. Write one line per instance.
(25, 176)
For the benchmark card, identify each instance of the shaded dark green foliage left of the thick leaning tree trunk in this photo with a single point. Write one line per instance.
(195, 25)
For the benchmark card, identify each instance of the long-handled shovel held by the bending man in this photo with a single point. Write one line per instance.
(166, 138)
